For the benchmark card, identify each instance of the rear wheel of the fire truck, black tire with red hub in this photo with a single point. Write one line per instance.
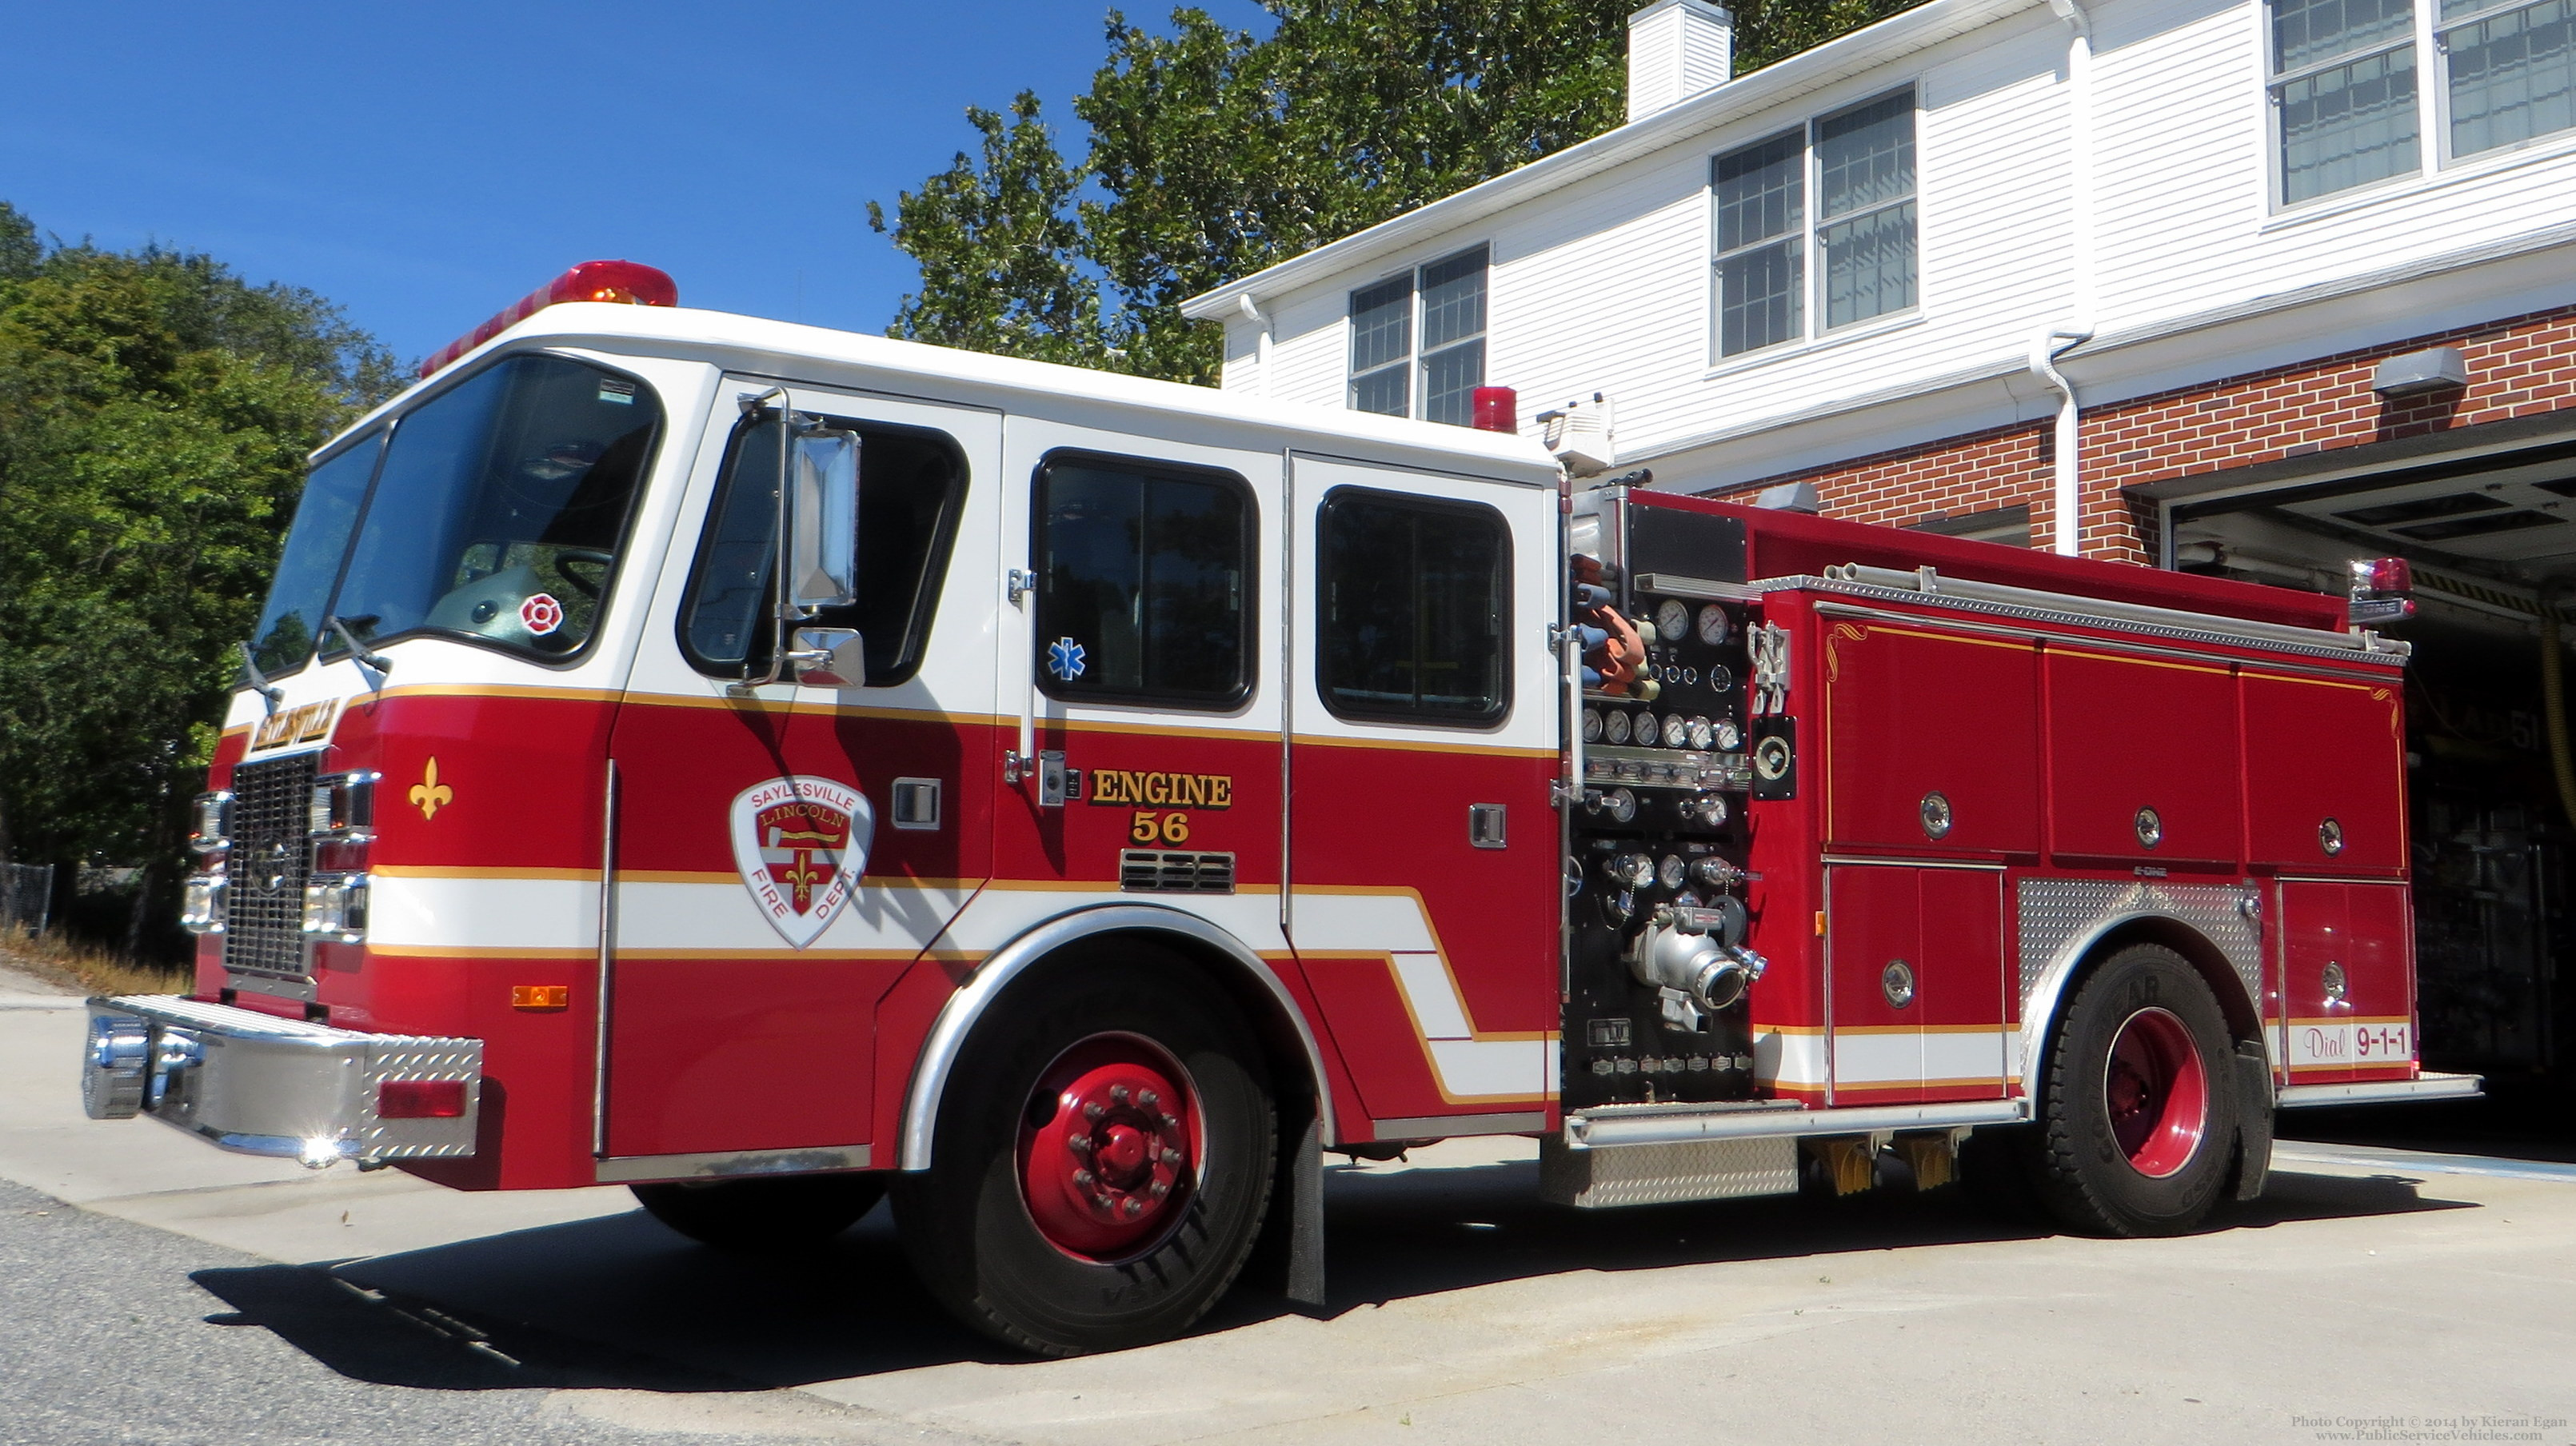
(2139, 1120)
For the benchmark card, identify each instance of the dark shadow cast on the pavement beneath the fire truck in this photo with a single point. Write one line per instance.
(622, 1303)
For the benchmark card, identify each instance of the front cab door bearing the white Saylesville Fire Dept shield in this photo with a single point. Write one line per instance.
(784, 852)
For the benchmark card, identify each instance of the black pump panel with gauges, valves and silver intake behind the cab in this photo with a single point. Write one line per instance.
(1658, 976)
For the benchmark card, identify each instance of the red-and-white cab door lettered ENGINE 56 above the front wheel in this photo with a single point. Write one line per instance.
(1137, 682)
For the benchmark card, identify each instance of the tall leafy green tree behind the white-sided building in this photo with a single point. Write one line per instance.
(1217, 153)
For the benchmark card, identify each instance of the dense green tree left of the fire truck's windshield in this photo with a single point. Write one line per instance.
(153, 427)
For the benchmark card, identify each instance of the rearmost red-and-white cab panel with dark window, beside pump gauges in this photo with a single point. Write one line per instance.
(1423, 849)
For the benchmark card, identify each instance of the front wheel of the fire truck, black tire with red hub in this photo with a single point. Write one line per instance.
(1065, 1210)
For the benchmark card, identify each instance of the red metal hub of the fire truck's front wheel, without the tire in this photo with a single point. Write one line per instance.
(1109, 1148)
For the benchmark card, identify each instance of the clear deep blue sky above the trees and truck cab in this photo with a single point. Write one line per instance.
(431, 164)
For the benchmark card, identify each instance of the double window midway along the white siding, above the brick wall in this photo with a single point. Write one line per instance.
(1856, 241)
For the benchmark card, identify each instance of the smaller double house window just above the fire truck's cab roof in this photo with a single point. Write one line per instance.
(1444, 308)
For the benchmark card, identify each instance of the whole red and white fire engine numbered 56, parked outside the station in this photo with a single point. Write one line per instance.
(777, 769)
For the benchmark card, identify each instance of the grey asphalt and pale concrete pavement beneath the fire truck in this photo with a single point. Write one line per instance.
(202, 1298)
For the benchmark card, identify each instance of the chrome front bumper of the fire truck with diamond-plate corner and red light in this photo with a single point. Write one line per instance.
(282, 1086)
